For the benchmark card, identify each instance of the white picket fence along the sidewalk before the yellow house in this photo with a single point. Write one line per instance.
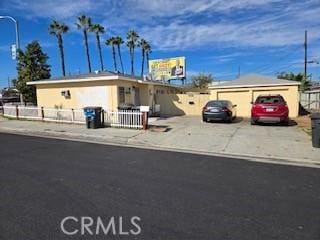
(119, 118)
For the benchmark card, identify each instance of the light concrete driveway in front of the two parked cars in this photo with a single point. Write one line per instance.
(238, 138)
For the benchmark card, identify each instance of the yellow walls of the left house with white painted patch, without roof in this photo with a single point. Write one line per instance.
(97, 93)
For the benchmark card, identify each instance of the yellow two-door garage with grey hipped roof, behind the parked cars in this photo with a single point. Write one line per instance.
(246, 89)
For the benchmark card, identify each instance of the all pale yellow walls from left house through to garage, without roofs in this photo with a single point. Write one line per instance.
(171, 99)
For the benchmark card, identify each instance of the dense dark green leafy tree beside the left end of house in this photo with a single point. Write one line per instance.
(32, 66)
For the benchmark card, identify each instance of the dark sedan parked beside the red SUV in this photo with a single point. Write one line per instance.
(219, 110)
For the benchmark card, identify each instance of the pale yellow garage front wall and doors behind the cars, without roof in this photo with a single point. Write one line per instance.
(244, 96)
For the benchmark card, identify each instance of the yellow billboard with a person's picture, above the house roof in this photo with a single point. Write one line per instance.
(166, 69)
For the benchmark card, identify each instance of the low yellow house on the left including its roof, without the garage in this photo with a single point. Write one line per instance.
(106, 89)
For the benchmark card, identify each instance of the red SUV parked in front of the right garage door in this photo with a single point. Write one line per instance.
(270, 108)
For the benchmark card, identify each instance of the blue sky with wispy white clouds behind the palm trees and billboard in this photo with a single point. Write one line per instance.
(216, 36)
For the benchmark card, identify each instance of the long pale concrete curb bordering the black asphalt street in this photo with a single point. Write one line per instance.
(125, 143)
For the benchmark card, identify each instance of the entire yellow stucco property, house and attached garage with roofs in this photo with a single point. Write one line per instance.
(109, 90)
